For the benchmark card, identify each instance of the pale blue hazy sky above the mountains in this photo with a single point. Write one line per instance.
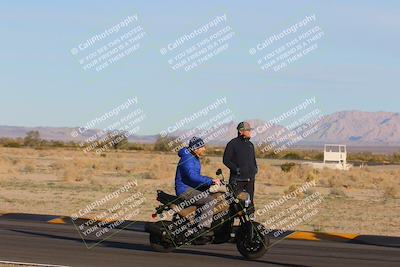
(356, 64)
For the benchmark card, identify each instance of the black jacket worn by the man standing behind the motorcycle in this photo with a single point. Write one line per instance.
(240, 158)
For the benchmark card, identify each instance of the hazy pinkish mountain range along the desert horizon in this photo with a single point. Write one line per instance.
(355, 128)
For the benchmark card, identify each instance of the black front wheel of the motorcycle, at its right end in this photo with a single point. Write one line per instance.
(256, 248)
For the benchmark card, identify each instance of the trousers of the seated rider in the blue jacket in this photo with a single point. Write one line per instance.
(201, 198)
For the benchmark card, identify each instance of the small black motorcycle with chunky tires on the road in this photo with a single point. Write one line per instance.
(232, 221)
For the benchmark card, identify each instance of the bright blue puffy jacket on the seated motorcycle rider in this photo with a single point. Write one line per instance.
(188, 173)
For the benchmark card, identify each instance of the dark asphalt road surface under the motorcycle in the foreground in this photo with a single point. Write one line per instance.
(36, 242)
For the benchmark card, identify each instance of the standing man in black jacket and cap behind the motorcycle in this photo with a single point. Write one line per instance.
(240, 158)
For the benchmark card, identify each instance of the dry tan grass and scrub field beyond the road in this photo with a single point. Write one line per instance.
(62, 181)
